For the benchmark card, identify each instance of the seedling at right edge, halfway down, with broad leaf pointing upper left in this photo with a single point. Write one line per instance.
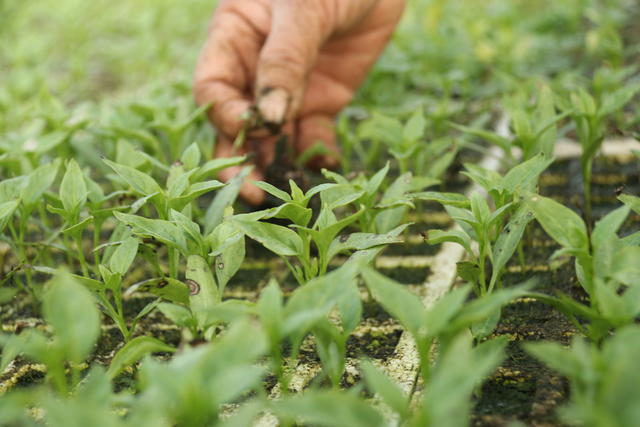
(606, 267)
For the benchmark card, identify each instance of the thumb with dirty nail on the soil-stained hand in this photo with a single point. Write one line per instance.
(298, 29)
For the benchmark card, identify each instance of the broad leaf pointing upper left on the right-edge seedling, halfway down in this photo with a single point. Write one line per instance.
(561, 223)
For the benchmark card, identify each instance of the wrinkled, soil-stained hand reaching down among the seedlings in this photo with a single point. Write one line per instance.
(298, 61)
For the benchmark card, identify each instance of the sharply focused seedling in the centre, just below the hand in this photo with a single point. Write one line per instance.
(296, 241)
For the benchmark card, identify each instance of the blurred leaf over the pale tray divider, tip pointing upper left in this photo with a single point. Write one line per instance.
(396, 299)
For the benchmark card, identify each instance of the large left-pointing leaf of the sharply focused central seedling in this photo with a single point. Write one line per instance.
(276, 238)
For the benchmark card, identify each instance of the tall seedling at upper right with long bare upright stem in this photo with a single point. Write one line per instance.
(590, 116)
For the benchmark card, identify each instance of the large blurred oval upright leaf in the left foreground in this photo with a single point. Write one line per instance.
(71, 310)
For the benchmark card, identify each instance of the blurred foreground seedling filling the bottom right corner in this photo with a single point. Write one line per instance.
(602, 379)
